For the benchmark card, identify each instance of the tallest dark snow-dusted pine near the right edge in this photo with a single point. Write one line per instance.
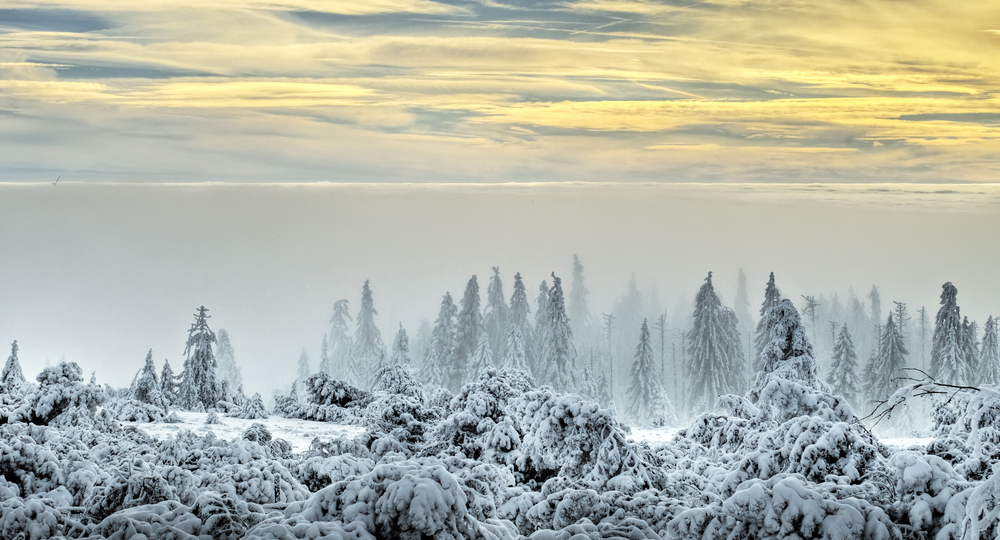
(947, 362)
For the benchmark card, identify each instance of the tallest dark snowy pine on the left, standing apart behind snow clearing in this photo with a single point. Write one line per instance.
(199, 389)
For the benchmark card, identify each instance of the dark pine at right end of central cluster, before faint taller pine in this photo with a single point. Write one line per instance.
(559, 352)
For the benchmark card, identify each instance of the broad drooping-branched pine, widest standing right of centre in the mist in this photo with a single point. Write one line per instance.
(710, 364)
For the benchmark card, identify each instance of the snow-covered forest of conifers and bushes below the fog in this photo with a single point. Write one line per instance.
(512, 417)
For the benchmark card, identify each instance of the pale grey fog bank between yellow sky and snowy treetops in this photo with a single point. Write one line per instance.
(104, 272)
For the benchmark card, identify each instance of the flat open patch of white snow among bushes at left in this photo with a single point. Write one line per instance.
(299, 433)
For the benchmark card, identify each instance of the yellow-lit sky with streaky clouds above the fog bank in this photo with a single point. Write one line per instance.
(539, 90)
